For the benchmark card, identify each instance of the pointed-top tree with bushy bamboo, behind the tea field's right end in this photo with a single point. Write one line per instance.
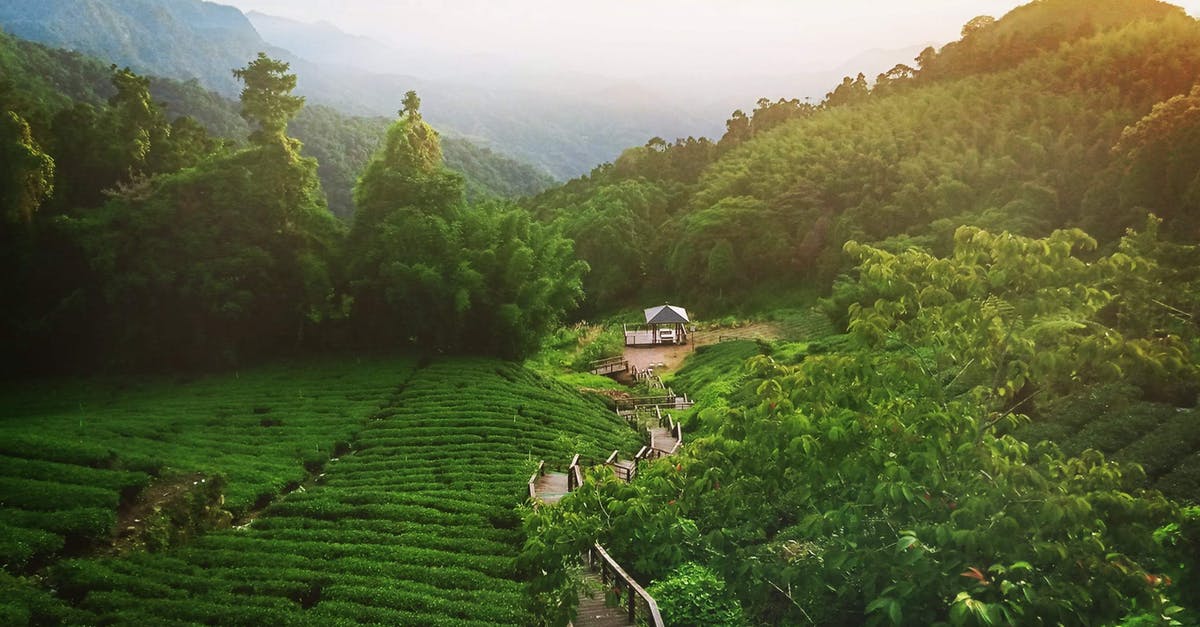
(430, 270)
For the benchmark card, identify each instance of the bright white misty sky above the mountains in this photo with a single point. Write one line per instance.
(645, 38)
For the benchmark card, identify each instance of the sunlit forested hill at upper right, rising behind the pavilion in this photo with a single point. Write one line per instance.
(1029, 142)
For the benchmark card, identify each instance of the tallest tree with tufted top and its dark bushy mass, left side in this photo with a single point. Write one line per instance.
(223, 262)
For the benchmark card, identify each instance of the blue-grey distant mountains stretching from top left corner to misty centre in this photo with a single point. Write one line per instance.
(562, 134)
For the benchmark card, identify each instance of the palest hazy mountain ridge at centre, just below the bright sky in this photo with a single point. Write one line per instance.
(550, 122)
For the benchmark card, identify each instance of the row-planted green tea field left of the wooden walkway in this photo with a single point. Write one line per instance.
(411, 519)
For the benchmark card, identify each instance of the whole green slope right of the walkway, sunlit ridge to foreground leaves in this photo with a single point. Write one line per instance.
(1005, 433)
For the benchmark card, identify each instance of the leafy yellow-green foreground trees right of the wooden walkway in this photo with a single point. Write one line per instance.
(877, 480)
